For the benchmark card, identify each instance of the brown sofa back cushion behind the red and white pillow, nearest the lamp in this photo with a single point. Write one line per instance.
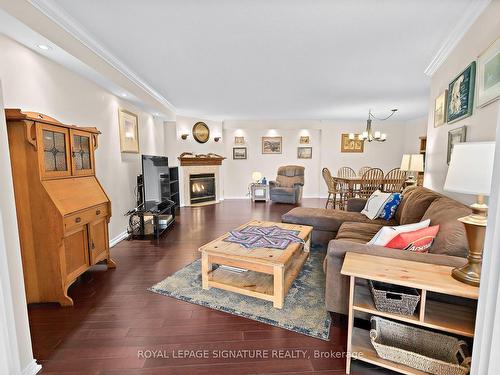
(451, 239)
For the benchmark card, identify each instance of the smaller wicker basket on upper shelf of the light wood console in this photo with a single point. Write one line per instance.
(394, 298)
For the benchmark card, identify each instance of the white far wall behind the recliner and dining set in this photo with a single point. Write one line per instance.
(325, 140)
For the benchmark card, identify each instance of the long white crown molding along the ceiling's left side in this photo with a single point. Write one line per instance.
(71, 26)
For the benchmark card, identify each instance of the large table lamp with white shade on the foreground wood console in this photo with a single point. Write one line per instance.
(470, 171)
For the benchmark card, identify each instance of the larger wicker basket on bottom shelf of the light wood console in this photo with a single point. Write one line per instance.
(424, 350)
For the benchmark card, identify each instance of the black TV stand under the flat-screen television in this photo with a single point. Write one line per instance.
(152, 220)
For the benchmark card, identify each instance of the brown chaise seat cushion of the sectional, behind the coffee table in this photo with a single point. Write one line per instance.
(328, 220)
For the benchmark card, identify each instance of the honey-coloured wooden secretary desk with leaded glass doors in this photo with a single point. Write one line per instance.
(62, 210)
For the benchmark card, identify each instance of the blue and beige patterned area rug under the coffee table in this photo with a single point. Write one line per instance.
(303, 311)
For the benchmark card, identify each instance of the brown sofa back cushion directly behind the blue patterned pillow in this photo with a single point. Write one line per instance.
(414, 205)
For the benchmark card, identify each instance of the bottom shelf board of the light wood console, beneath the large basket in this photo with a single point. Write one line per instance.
(361, 344)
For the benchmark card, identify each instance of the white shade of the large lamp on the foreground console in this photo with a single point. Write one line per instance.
(471, 168)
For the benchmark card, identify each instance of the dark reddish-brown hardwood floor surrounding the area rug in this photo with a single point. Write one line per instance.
(114, 317)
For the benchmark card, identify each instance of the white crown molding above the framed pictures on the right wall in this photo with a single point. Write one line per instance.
(463, 25)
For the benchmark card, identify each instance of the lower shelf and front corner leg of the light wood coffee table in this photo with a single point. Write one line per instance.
(266, 286)
